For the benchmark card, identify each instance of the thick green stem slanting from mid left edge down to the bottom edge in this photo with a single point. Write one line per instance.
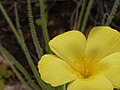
(19, 66)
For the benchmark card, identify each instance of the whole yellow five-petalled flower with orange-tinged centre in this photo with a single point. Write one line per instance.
(85, 64)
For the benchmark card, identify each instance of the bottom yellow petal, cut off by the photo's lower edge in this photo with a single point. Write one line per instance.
(97, 83)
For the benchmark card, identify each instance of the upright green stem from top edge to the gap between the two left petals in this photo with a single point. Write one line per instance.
(44, 26)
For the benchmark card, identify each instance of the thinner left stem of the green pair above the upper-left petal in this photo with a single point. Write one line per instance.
(80, 15)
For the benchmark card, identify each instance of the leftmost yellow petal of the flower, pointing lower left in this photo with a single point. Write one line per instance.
(55, 71)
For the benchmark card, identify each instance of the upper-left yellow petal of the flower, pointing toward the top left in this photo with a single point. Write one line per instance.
(70, 46)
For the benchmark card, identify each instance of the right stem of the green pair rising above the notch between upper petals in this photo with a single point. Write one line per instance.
(86, 15)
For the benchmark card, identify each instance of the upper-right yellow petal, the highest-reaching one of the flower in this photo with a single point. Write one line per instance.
(102, 41)
